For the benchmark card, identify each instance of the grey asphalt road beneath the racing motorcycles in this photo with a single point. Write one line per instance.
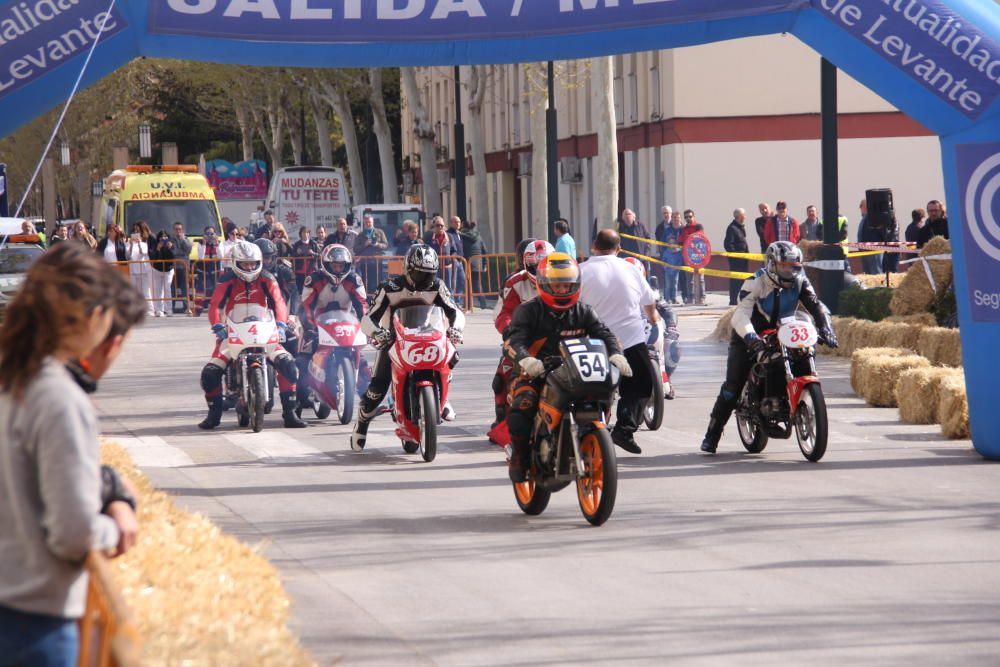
(886, 552)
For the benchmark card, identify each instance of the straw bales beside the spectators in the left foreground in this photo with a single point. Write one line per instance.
(197, 595)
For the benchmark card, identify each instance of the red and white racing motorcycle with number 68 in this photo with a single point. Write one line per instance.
(420, 354)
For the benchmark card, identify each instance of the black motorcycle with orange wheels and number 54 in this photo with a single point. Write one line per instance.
(569, 440)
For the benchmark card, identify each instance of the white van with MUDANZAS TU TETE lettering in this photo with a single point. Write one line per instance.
(308, 196)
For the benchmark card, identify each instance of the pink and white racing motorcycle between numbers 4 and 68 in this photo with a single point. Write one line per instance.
(333, 369)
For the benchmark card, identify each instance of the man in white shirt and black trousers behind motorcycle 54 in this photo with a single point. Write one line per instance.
(620, 296)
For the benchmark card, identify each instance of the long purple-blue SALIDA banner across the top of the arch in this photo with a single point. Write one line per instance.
(395, 21)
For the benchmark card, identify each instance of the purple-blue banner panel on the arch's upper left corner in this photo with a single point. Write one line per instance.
(38, 36)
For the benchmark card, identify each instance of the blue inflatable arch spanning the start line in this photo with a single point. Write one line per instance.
(936, 60)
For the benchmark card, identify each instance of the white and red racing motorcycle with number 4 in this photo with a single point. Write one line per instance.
(250, 376)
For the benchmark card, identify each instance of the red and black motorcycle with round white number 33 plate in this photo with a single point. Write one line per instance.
(783, 393)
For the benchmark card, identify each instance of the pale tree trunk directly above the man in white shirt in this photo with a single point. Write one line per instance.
(606, 163)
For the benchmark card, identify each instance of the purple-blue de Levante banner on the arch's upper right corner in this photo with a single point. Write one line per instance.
(931, 42)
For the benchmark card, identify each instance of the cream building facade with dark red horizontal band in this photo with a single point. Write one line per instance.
(711, 128)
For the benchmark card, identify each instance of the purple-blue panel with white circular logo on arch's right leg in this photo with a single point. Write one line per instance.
(979, 185)
